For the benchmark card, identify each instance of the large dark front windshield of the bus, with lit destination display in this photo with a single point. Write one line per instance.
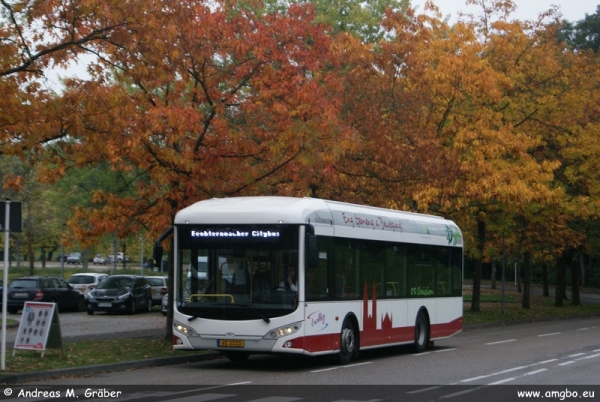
(239, 272)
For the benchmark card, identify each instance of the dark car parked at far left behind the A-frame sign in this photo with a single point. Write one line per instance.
(43, 289)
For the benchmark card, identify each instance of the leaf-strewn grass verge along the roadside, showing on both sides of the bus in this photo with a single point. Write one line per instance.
(78, 354)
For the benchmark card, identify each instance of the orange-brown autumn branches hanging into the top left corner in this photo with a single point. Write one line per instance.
(36, 36)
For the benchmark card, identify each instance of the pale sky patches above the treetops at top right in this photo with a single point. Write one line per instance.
(572, 10)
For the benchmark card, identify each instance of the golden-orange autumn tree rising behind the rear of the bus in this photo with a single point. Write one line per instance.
(449, 120)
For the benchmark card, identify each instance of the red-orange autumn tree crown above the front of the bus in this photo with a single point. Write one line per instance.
(204, 101)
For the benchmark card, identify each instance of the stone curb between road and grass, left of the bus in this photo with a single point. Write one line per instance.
(17, 378)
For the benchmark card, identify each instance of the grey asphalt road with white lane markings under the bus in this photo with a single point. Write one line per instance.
(491, 364)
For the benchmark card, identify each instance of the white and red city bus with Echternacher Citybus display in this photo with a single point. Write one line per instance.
(311, 276)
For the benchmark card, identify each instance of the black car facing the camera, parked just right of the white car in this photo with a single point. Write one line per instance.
(125, 293)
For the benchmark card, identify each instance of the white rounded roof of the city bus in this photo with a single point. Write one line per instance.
(342, 219)
